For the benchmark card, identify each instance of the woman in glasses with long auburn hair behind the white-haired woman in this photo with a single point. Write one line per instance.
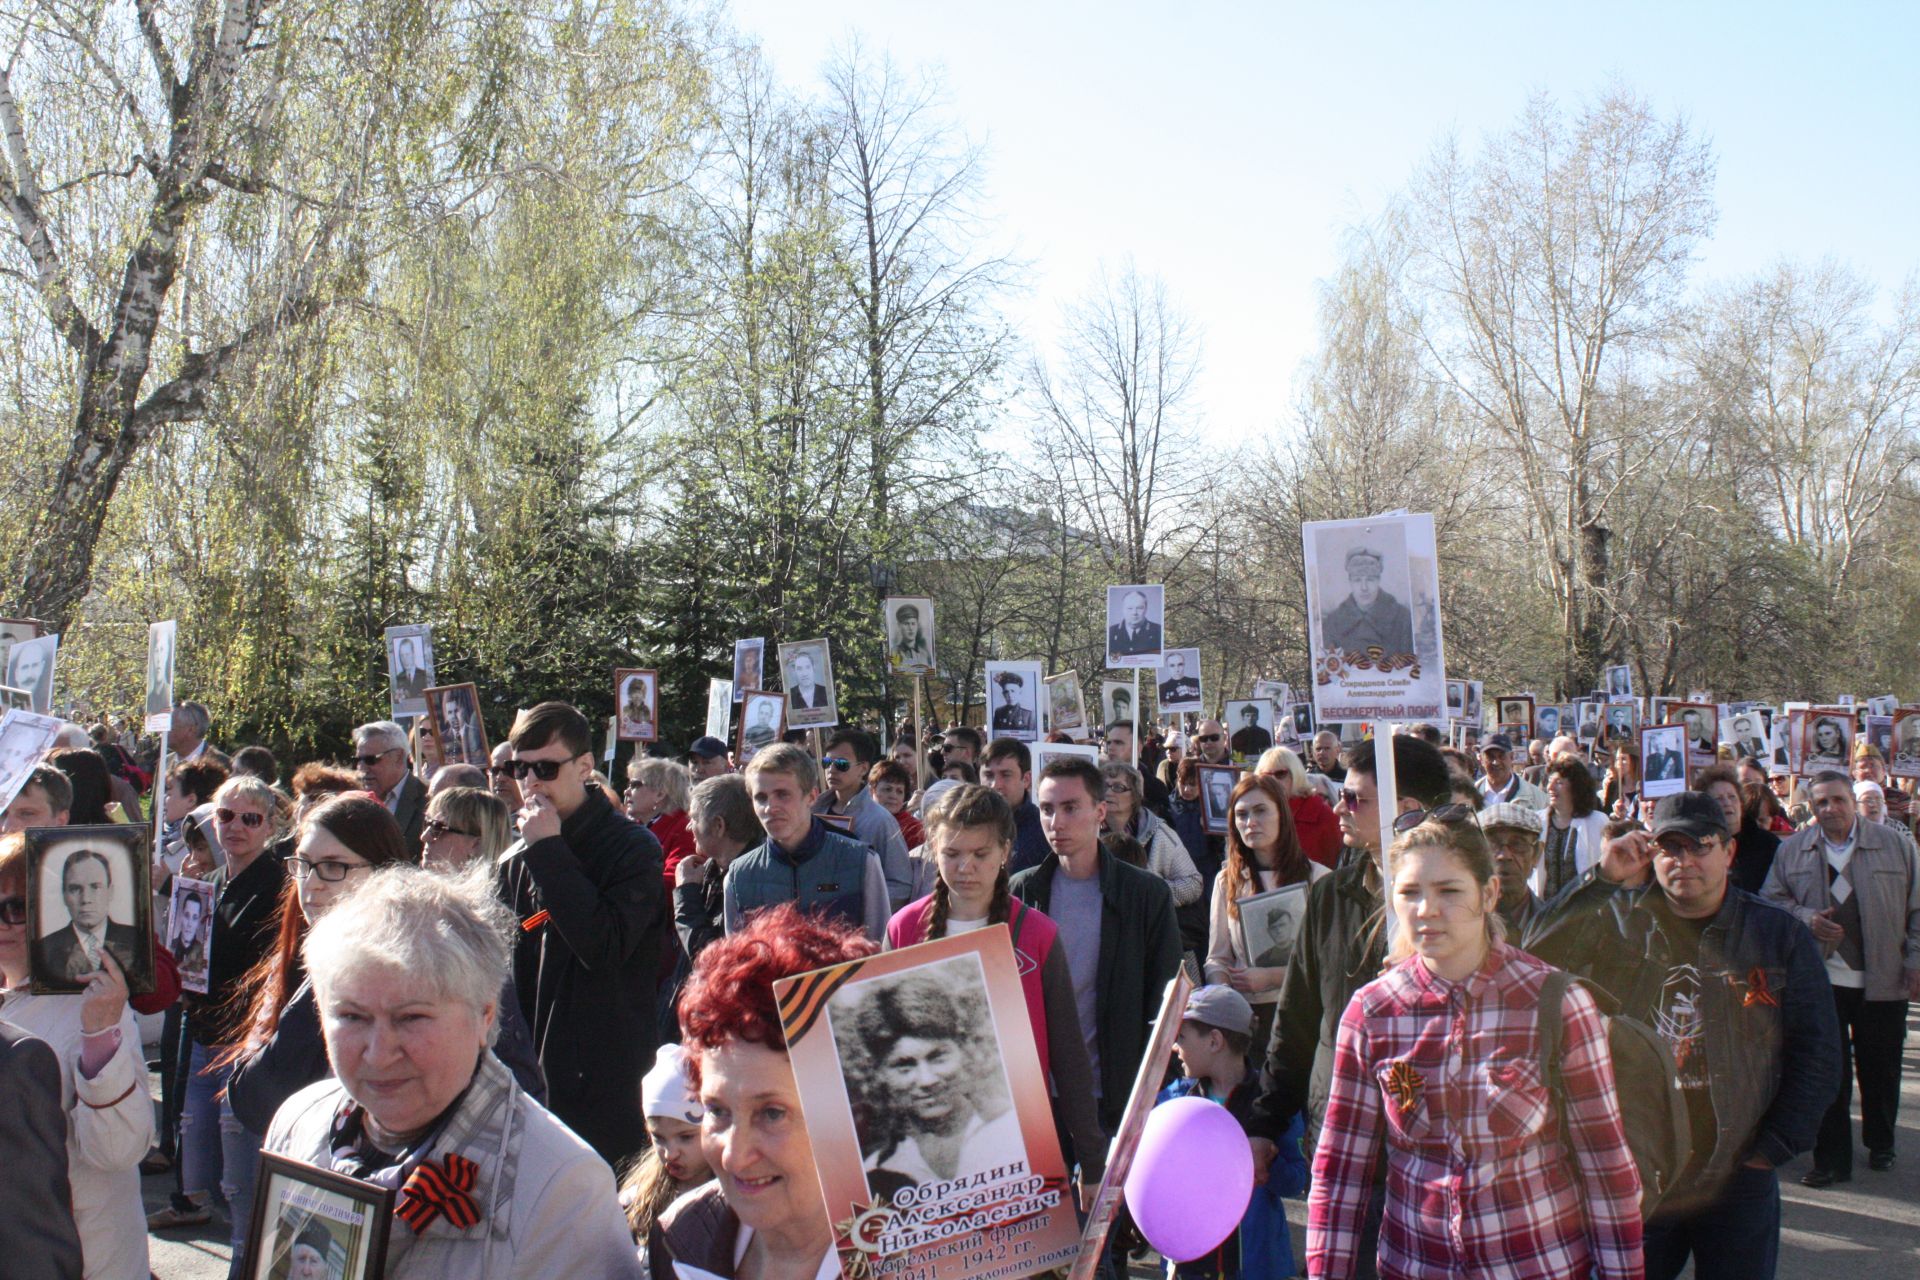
(281, 1051)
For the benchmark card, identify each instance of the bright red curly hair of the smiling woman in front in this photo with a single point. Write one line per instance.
(731, 995)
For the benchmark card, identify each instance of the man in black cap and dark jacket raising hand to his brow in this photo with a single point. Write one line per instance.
(1739, 993)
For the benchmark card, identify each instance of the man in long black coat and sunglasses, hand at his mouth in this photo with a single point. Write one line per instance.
(588, 888)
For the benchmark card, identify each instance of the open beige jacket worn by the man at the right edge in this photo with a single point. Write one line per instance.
(1884, 874)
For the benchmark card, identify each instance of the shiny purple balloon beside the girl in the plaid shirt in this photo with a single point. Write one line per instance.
(1191, 1177)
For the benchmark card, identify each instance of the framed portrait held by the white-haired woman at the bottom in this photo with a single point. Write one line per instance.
(316, 1223)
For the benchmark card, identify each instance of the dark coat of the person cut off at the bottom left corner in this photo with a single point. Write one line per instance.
(37, 1237)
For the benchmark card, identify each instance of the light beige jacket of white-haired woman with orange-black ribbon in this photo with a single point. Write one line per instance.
(548, 1204)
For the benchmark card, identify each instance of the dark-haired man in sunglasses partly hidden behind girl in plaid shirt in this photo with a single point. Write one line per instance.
(1341, 947)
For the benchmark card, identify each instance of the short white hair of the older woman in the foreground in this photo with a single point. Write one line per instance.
(444, 932)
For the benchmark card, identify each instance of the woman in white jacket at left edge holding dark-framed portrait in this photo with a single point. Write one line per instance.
(103, 1087)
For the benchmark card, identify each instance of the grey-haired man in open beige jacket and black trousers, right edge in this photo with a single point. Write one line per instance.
(1856, 886)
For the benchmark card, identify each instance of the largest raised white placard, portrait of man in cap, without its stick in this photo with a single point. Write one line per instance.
(1374, 619)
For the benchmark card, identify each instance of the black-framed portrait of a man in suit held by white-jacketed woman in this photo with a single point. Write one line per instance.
(87, 893)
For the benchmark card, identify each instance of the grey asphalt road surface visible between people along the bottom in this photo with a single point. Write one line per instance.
(1861, 1231)
